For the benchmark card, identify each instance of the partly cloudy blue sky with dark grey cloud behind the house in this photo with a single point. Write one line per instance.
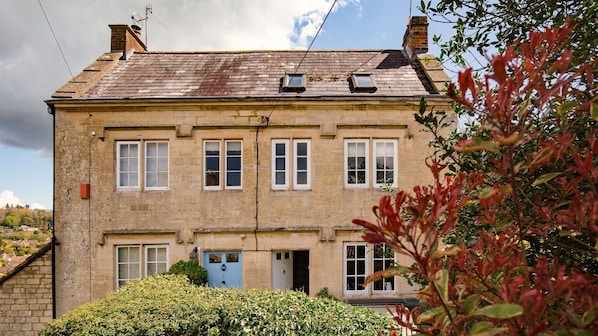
(32, 63)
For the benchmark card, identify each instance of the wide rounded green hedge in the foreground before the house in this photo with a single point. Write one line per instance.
(169, 305)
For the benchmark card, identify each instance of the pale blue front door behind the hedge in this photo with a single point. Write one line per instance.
(224, 268)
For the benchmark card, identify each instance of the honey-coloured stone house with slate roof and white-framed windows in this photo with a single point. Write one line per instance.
(294, 233)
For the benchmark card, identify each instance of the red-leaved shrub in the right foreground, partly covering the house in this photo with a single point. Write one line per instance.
(535, 197)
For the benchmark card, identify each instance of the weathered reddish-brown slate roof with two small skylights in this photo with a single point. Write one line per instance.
(256, 74)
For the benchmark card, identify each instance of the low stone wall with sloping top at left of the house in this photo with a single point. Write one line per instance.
(26, 295)
